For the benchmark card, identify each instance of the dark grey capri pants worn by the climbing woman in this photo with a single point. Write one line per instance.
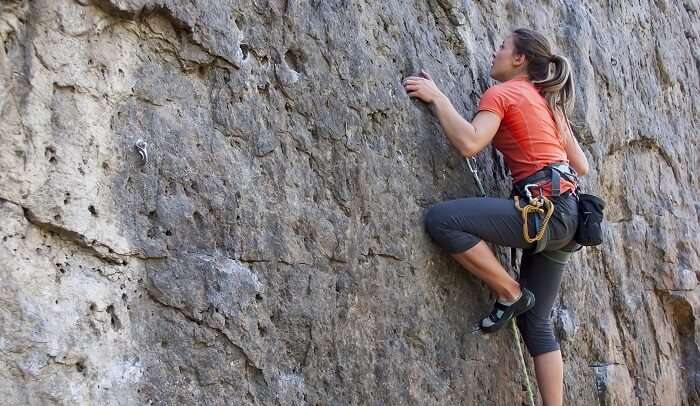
(458, 225)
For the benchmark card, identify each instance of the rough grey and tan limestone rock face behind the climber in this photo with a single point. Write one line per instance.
(270, 249)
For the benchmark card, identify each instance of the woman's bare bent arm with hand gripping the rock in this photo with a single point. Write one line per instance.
(468, 138)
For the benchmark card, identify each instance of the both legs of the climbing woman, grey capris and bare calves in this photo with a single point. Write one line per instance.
(459, 226)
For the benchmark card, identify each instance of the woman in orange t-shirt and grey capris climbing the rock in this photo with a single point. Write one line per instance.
(525, 116)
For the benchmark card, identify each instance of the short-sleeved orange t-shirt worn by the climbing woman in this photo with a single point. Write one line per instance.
(528, 136)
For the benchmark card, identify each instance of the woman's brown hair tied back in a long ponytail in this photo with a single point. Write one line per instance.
(557, 88)
